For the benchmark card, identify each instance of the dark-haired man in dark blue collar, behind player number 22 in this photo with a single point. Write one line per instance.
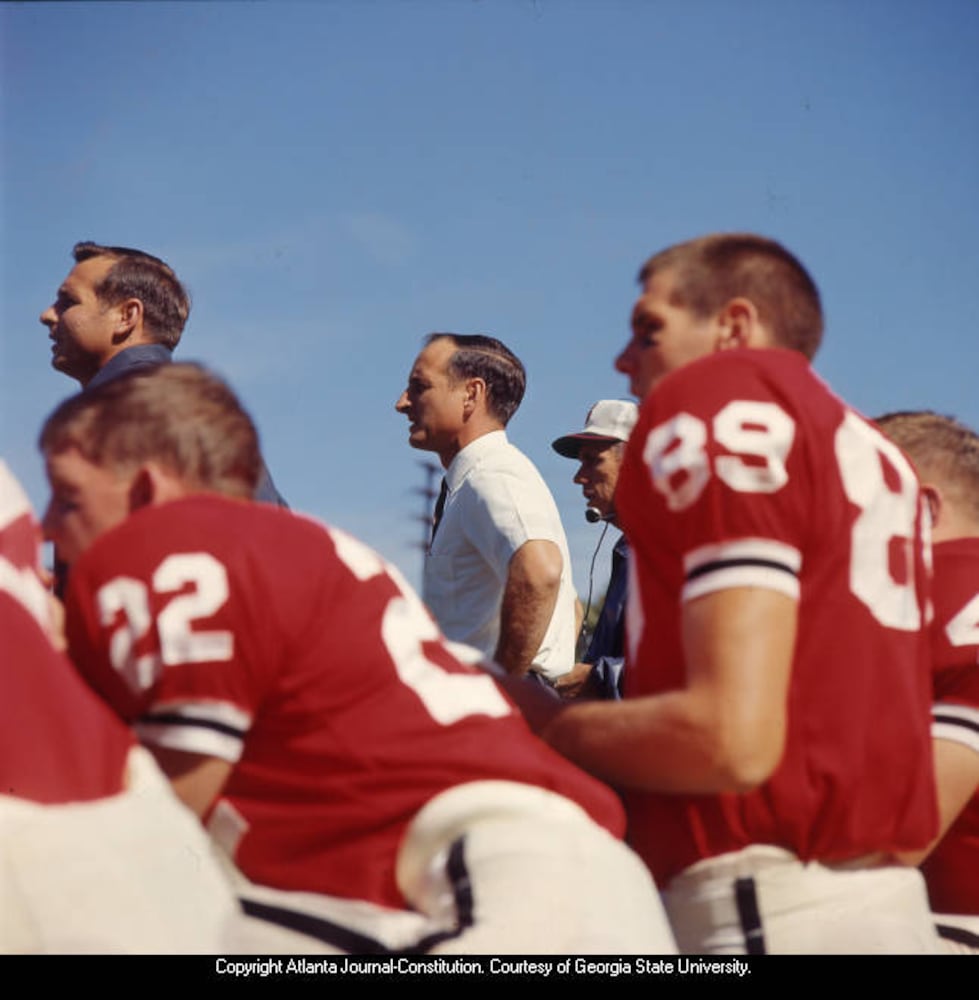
(120, 310)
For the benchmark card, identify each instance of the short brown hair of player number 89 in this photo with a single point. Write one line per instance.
(710, 271)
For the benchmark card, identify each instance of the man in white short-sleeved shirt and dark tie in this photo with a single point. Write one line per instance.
(497, 571)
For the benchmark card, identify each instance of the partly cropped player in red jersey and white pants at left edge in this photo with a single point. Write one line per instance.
(96, 853)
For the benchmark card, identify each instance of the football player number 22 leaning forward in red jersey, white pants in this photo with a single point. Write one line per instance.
(370, 790)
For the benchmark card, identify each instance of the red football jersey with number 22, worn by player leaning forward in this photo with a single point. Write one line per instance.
(245, 632)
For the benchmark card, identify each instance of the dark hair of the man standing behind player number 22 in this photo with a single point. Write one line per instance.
(139, 275)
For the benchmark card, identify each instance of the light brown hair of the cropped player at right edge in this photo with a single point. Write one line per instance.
(943, 450)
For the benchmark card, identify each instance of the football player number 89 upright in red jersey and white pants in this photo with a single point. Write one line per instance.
(773, 743)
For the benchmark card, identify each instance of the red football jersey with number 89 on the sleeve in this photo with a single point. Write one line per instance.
(745, 470)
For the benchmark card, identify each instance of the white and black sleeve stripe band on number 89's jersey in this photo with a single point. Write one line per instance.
(748, 562)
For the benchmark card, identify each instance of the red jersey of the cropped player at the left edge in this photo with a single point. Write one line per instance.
(58, 741)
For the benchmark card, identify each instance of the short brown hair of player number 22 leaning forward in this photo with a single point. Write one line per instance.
(179, 415)
